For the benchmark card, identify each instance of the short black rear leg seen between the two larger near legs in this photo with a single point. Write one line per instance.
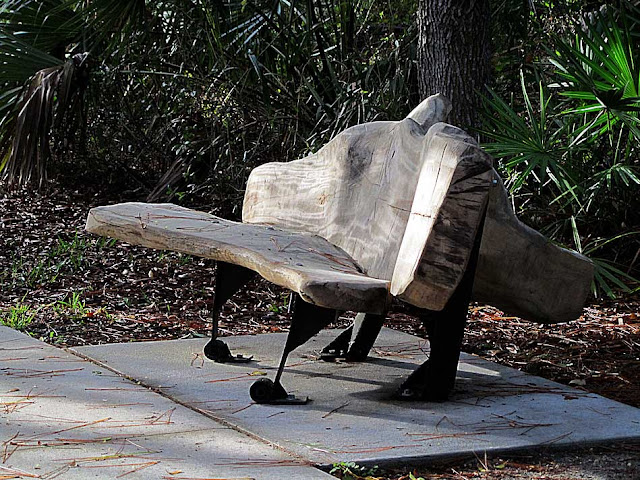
(355, 343)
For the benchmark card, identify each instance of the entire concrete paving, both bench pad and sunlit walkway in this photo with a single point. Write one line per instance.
(186, 418)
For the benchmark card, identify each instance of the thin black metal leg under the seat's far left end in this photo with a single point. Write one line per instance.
(229, 279)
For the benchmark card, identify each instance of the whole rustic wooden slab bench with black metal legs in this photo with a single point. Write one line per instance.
(411, 209)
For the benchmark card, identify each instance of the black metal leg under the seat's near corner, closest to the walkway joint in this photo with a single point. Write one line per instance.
(307, 321)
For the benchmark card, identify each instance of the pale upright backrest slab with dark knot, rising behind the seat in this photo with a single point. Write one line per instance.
(356, 191)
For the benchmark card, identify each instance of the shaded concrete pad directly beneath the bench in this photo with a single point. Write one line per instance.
(351, 417)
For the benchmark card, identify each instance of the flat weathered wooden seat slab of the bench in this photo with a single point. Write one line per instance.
(321, 273)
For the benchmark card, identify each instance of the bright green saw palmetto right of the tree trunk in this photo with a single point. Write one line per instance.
(572, 152)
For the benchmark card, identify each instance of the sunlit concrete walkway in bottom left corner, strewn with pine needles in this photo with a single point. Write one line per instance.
(64, 417)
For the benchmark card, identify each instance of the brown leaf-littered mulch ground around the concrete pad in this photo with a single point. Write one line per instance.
(69, 288)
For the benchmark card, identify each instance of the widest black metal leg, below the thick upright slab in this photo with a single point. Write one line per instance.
(435, 379)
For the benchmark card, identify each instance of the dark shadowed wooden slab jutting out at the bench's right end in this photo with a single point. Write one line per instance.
(521, 272)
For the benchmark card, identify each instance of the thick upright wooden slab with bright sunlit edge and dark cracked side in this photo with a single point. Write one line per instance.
(450, 198)
